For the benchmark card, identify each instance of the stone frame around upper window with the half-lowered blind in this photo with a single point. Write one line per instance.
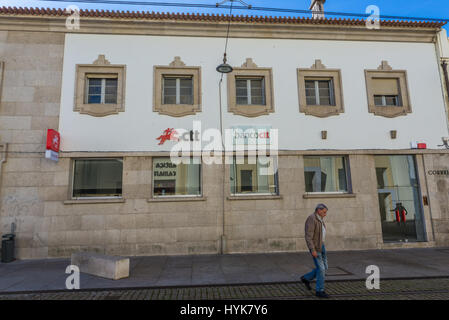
(385, 71)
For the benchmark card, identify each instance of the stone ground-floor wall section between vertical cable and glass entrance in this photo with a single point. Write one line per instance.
(278, 225)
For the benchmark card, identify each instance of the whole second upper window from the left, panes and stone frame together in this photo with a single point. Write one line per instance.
(177, 89)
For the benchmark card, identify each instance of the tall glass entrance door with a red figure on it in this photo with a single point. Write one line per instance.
(398, 186)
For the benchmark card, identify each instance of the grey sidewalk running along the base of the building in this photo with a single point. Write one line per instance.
(198, 270)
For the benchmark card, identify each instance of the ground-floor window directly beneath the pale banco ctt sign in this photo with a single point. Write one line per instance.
(254, 175)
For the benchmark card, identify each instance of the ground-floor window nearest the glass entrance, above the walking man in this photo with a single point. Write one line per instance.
(326, 174)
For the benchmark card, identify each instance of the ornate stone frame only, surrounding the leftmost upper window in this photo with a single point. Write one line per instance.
(99, 68)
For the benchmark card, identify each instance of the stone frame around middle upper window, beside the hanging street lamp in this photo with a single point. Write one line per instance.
(250, 69)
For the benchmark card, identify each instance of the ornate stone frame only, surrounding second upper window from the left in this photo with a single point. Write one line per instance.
(177, 68)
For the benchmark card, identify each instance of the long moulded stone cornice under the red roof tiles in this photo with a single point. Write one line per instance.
(201, 25)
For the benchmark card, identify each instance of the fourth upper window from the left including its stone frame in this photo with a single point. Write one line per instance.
(320, 91)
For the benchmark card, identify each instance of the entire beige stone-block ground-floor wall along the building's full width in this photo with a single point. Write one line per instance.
(51, 225)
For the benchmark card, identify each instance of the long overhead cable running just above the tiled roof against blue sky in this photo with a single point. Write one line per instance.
(267, 9)
